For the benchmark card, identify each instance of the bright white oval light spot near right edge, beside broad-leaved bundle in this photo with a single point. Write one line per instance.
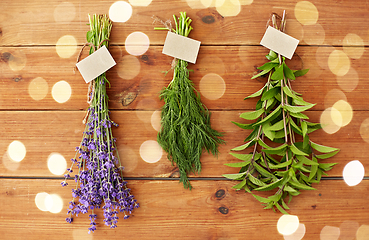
(353, 173)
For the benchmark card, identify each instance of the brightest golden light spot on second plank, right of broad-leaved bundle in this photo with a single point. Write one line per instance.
(338, 63)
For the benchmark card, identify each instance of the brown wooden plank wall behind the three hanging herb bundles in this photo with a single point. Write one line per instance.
(37, 111)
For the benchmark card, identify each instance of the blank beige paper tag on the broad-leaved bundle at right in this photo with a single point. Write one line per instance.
(279, 42)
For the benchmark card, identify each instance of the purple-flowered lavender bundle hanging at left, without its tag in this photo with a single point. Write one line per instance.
(99, 180)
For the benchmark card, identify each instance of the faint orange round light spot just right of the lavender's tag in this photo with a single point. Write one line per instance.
(128, 67)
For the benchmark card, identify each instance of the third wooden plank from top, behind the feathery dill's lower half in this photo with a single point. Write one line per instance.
(44, 133)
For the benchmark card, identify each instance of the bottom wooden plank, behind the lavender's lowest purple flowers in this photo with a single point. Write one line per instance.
(212, 210)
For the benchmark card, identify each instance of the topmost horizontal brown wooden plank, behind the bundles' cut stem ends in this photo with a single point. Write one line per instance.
(34, 23)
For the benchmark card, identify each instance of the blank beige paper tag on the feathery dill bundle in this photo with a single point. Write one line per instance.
(181, 47)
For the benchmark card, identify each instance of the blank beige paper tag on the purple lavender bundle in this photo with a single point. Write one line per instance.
(95, 64)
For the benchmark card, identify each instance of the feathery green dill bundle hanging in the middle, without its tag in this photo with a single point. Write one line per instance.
(185, 121)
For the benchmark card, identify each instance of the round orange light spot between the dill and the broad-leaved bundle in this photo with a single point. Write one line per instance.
(212, 86)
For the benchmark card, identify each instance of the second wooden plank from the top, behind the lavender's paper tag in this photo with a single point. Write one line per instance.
(234, 64)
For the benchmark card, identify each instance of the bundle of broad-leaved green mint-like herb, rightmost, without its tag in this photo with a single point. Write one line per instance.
(290, 165)
